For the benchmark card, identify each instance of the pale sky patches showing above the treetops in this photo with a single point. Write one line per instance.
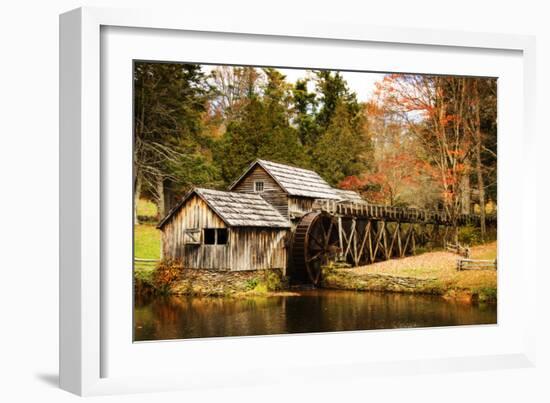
(360, 83)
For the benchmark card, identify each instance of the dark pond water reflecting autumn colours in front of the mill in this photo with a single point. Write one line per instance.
(163, 318)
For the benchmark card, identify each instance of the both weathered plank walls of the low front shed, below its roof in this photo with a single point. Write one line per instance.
(248, 248)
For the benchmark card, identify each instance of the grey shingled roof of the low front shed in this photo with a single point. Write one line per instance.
(236, 209)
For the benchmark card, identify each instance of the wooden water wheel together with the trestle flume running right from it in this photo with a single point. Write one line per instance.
(361, 233)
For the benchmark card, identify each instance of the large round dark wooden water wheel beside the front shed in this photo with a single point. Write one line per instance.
(314, 244)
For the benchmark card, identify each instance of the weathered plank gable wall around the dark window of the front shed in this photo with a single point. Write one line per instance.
(195, 214)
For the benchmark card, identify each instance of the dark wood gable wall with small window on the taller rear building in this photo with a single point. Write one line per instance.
(272, 193)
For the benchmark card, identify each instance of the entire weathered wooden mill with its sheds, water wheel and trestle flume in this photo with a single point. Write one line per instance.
(276, 216)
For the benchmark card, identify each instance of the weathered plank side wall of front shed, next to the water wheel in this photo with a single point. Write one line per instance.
(258, 248)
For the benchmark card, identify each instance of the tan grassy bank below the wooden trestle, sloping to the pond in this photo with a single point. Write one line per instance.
(430, 273)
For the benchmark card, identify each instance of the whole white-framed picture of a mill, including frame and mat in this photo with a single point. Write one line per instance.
(235, 194)
